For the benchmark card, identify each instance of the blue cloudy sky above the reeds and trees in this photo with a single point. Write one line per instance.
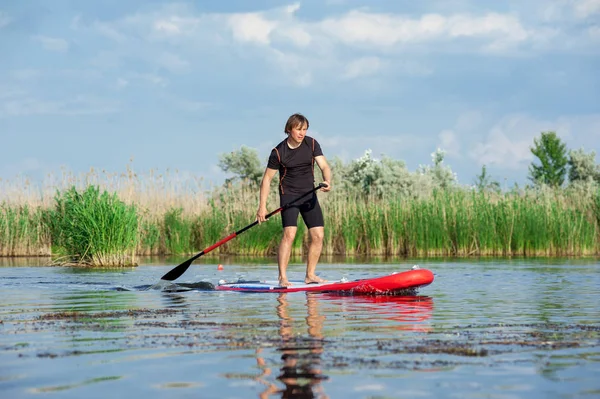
(160, 85)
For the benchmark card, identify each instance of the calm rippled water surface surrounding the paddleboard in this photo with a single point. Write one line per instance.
(492, 328)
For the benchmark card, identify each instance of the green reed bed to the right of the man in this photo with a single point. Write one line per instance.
(463, 223)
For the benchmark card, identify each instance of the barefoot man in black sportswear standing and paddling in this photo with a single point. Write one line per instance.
(294, 158)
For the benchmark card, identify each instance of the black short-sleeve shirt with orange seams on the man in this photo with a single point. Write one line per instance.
(296, 166)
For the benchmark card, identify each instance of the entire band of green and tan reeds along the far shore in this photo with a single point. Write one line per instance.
(169, 214)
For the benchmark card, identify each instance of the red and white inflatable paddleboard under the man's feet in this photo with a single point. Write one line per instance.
(384, 285)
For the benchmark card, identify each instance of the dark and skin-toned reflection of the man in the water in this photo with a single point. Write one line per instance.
(300, 371)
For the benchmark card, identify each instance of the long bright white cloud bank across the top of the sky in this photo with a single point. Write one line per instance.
(303, 51)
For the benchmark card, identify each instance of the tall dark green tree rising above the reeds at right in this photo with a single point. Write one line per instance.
(552, 155)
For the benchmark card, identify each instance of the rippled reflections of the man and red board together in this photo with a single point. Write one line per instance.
(302, 356)
